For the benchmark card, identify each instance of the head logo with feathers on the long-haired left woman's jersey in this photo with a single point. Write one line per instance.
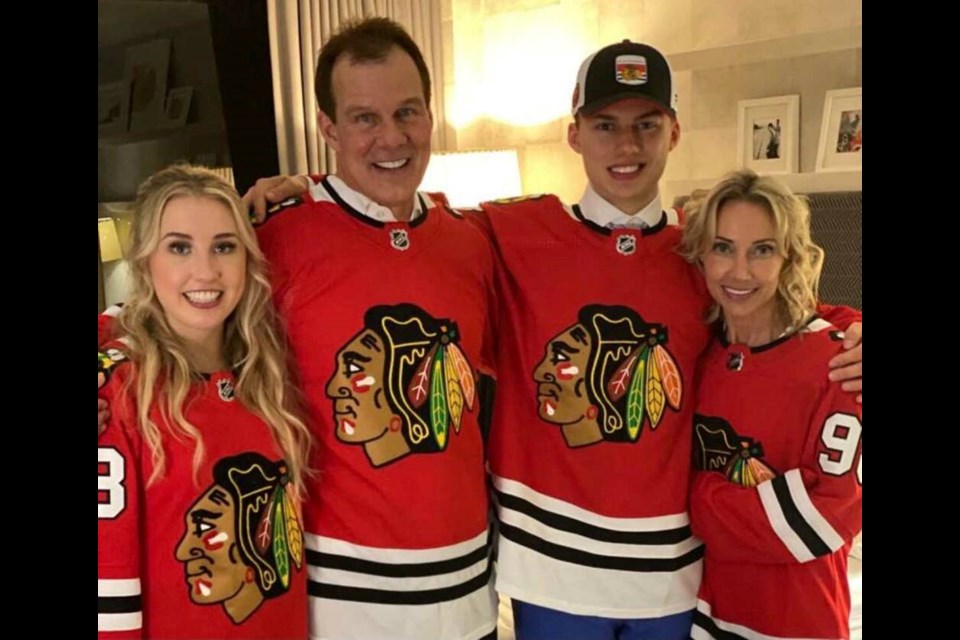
(242, 535)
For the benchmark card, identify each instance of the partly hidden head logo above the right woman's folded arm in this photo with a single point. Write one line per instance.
(717, 447)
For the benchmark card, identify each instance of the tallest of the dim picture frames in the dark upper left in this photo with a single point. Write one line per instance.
(145, 72)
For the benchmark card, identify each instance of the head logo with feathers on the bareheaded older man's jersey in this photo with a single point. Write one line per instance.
(401, 384)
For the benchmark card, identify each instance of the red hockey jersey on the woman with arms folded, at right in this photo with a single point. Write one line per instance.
(777, 498)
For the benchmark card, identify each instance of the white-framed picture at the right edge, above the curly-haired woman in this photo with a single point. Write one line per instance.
(841, 132)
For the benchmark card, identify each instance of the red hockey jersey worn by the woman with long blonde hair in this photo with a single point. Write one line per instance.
(214, 554)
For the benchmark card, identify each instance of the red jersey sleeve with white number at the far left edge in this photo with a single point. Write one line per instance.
(119, 608)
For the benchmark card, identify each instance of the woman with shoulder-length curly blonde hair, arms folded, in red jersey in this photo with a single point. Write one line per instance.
(777, 496)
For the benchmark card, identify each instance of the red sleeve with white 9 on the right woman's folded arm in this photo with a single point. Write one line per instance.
(803, 514)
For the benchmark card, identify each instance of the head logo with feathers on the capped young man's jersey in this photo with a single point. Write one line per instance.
(601, 378)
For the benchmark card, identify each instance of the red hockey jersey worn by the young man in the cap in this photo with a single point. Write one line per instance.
(600, 331)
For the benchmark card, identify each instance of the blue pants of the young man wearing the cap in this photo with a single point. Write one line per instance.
(539, 623)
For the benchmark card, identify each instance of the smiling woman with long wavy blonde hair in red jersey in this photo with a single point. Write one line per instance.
(200, 468)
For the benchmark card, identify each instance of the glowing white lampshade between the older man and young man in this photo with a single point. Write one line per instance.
(471, 177)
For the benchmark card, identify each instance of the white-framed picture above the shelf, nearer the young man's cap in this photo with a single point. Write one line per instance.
(768, 134)
